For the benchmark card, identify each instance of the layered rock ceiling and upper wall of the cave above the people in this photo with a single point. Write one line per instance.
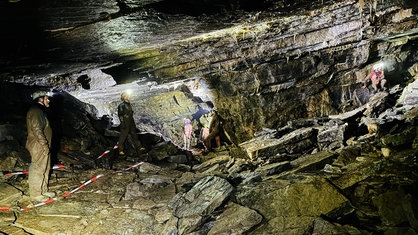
(243, 56)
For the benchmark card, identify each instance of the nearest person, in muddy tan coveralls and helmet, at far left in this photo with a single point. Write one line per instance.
(38, 144)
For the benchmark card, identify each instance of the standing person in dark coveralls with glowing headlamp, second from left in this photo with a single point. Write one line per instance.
(127, 125)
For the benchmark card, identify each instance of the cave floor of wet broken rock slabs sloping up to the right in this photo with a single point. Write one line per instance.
(351, 187)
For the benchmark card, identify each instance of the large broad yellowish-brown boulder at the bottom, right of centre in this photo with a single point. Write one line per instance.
(291, 206)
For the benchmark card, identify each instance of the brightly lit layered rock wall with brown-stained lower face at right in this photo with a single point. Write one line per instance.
(277, 68)
